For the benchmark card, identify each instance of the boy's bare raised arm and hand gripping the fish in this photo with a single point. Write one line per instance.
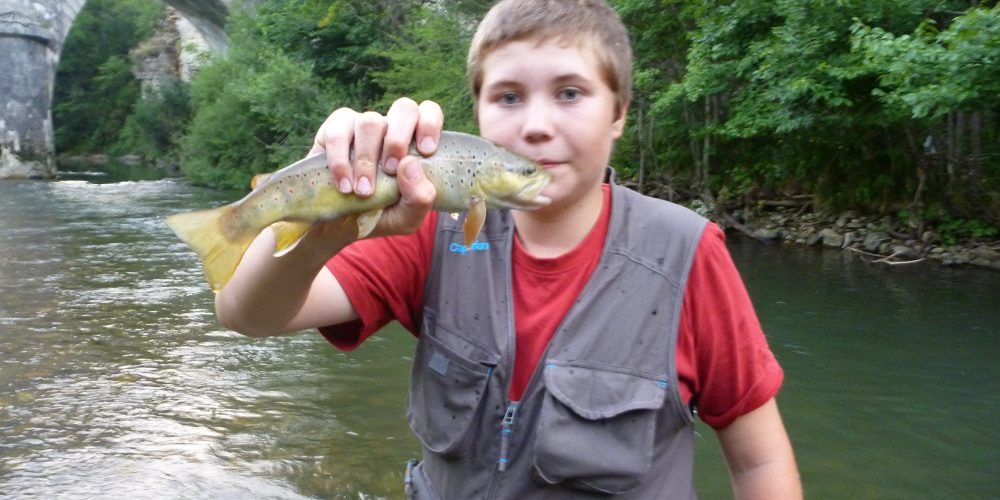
(270, 295)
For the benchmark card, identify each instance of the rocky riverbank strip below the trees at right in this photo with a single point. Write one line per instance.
(879, 239)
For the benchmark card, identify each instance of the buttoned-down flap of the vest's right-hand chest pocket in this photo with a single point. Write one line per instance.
(595, 393)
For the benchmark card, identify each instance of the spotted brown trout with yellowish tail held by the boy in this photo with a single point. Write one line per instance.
(468, 172)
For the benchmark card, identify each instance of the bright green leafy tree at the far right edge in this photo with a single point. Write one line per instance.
(947, 83)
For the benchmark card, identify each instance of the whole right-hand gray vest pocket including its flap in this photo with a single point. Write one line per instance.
(596, 428)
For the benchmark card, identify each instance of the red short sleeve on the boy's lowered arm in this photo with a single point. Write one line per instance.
(724, 364)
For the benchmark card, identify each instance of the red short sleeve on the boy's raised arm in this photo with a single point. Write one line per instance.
(384, 280)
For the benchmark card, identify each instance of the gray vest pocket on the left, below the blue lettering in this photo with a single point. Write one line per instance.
(448, 383)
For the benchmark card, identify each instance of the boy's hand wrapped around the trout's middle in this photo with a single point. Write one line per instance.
(376, 138)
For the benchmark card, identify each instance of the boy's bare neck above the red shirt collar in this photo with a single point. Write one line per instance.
(554, 231)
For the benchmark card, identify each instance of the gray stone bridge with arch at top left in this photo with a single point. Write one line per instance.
(32, 33)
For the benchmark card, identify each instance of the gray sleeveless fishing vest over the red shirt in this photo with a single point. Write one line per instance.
(602, 415)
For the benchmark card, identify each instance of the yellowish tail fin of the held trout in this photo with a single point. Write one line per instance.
(203, 232)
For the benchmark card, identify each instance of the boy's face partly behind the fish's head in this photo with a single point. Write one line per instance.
(549, 102)
